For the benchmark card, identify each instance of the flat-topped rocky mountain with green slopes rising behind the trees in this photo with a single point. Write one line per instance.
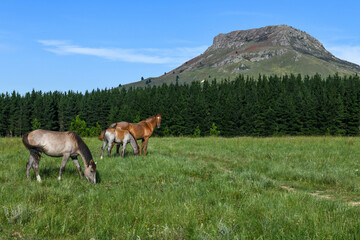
(278, 49)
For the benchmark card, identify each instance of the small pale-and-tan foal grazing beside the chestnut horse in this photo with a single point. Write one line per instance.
(115, 135)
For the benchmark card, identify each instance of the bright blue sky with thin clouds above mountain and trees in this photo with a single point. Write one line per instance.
(85, 45)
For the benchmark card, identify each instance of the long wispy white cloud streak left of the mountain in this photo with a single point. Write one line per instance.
(145, 55)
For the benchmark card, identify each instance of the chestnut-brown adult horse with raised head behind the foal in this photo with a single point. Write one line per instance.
(142, 130)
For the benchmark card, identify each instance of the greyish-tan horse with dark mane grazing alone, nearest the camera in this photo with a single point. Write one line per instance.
(56, 144)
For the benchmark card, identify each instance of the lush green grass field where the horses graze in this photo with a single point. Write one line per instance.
(189, 188)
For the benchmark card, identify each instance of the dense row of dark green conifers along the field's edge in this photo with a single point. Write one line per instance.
(265, 106)
